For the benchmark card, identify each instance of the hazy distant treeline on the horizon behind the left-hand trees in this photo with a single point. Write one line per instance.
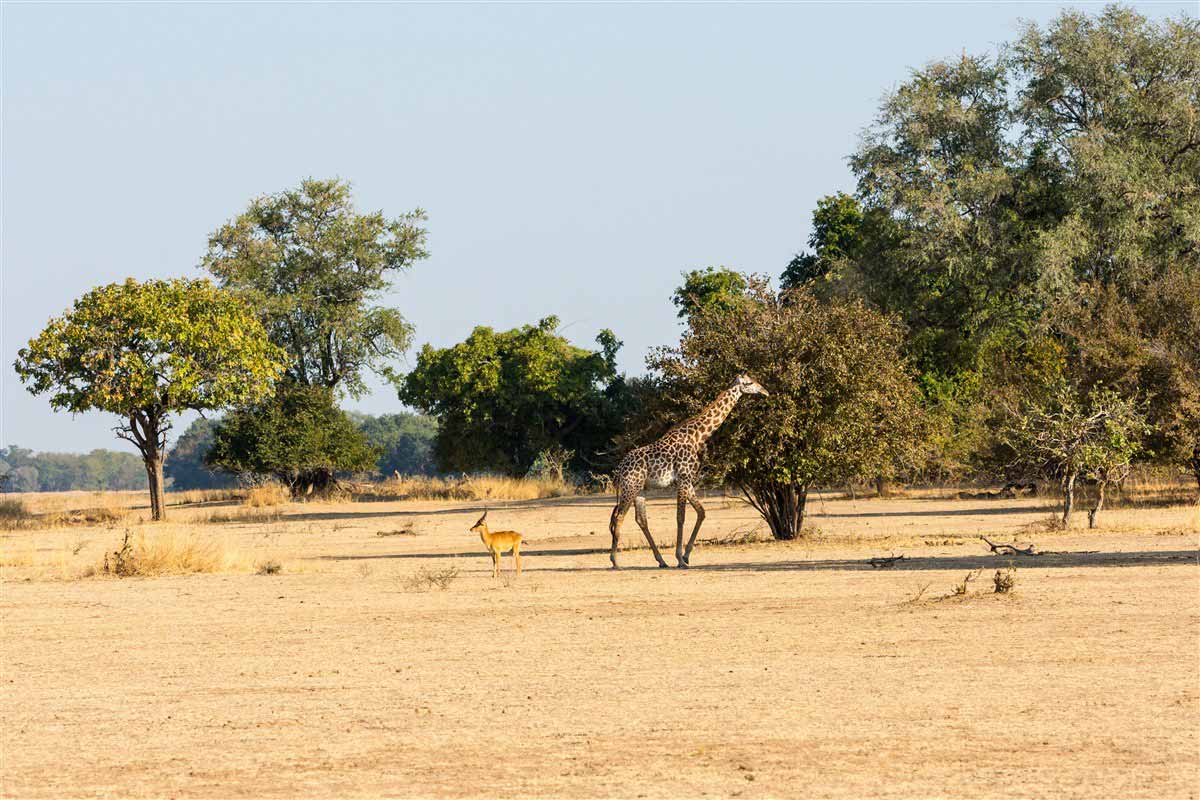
(404, 441)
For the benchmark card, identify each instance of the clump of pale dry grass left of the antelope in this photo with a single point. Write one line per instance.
(172, 552)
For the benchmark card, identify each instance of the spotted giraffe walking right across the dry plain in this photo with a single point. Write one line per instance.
(675, 459)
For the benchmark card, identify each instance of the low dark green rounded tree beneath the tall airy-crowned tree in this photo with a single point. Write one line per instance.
(298, 436)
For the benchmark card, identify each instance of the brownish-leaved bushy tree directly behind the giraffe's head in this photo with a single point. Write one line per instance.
(842, 407)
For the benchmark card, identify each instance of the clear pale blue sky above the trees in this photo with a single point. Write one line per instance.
(573, 159)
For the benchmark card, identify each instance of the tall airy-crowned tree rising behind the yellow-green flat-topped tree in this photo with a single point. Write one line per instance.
(316, 269)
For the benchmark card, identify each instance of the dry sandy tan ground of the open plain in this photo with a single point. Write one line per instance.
(767, 671)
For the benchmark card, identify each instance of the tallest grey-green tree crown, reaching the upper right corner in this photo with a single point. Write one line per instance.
(1111, 104)
